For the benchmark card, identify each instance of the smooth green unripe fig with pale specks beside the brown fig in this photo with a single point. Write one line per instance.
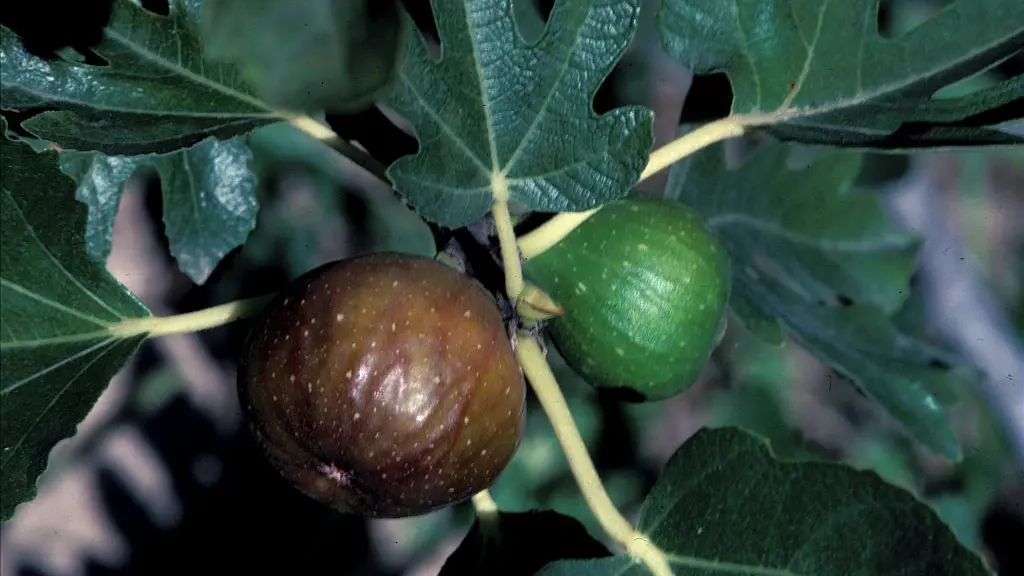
(645, 287)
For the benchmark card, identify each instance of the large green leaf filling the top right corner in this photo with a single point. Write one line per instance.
(820, 71)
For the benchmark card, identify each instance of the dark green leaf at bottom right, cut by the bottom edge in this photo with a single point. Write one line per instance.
(724, 505)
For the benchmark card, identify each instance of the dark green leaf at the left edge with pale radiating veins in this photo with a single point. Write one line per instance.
(57, 310)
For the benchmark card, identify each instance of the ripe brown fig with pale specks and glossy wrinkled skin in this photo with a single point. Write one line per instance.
(385, 386)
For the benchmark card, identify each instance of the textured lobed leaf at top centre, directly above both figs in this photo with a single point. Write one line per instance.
(499, 117)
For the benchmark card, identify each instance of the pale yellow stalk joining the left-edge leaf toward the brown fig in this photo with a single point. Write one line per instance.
(155, 326)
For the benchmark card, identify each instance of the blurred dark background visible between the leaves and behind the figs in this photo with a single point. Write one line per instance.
(207, 493)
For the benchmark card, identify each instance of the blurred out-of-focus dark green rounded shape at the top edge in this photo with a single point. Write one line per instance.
(308, 55)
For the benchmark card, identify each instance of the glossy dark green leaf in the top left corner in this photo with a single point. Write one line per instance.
(154, 93)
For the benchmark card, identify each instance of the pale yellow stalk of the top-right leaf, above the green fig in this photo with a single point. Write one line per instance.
(553, 231)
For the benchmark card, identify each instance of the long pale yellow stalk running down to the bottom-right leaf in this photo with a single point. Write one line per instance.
(545, 386)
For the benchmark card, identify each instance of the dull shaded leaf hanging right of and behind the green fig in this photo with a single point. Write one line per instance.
(824, 263)
